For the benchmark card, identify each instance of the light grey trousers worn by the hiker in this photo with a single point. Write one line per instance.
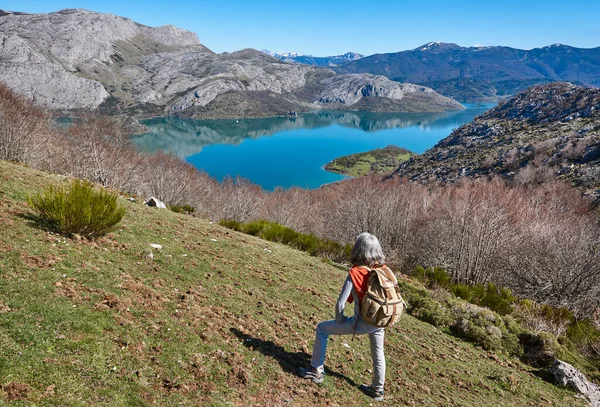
(346, 327)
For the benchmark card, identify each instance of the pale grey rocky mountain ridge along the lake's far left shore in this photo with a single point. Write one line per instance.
(79, 59)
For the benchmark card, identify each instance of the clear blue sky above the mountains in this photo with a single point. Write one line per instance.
(331, 27)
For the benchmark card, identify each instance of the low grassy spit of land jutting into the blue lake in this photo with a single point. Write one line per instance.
(371, 162)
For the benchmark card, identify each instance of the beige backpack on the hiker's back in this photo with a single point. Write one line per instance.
(382, 304)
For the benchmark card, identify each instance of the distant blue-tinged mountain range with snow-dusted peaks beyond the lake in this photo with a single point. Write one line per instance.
(471, 74)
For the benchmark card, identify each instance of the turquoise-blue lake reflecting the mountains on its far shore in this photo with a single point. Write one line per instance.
(285, 152)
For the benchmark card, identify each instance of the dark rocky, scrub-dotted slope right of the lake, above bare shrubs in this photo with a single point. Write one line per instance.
(547, 131)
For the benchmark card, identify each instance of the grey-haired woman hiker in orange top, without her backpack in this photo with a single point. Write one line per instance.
(366, 252)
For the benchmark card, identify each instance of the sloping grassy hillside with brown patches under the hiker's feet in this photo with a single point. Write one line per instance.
(215, 318)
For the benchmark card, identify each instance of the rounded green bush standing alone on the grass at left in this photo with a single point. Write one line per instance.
(78, 209)
